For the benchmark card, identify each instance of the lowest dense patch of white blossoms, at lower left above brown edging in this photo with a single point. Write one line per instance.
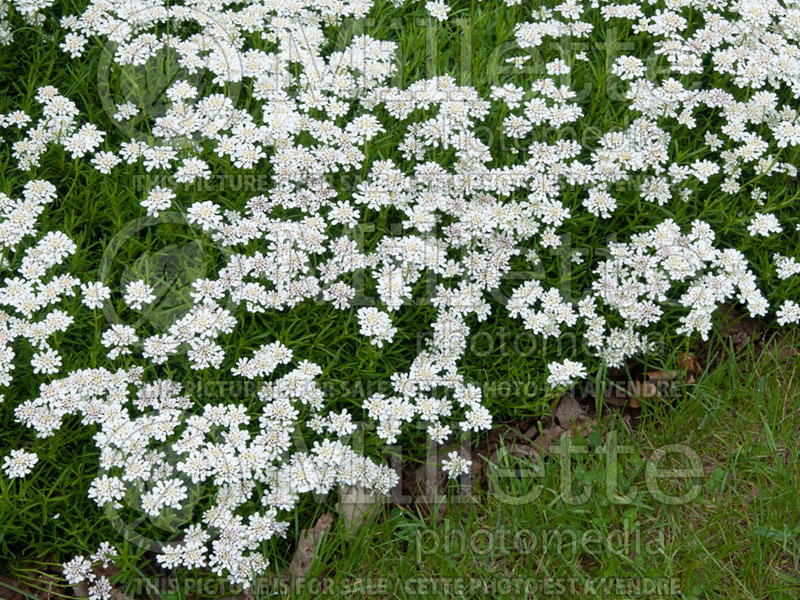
(251, 478)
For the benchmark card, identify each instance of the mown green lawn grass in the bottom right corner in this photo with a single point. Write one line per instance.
(736, 536)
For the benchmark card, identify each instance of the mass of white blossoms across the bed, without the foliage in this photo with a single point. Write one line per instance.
(463, 224)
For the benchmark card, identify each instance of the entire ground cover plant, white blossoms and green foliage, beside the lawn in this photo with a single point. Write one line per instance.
(256, 254)
